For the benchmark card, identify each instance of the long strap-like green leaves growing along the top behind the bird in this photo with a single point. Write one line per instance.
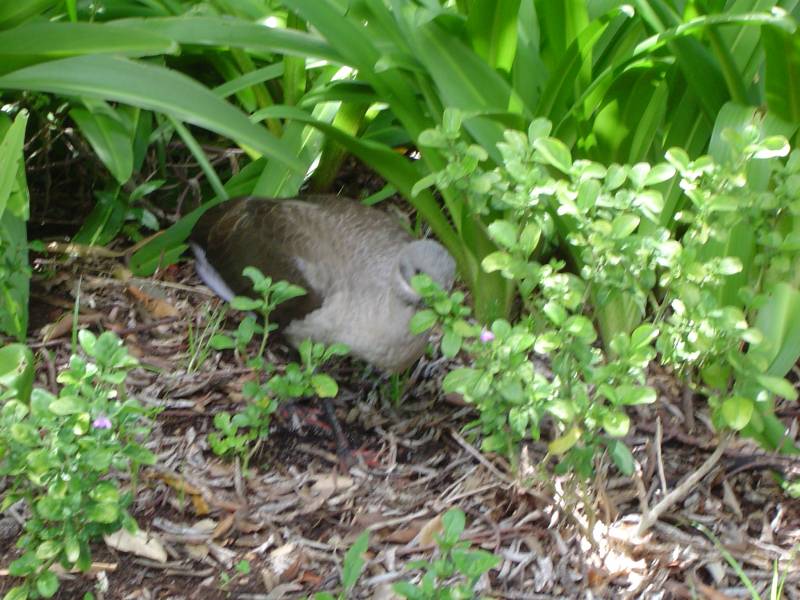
(620, 82)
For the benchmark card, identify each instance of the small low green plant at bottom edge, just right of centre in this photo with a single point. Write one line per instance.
(455, 560)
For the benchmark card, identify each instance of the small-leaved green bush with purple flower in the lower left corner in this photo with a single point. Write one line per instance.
(56, 453)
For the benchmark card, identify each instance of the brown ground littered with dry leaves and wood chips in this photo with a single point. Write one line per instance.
(294, 513)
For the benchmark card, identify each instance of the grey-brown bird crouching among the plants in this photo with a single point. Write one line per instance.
(355, 263)
